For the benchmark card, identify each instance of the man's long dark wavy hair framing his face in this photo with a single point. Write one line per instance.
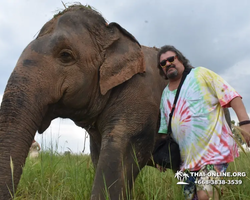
(179, 55)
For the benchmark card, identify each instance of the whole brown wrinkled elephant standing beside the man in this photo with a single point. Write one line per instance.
(97, 75)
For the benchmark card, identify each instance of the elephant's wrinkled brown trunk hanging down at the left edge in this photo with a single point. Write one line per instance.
(20, 116)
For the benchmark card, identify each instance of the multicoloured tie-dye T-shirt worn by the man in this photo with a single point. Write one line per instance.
(198, 123)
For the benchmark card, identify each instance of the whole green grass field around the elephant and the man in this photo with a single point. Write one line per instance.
(70, 177)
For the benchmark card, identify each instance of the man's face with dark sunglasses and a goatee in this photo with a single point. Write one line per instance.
(173, 68)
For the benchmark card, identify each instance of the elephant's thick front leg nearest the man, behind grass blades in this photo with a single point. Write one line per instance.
(120, 160)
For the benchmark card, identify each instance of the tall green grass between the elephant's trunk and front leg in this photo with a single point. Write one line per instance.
(54, 176)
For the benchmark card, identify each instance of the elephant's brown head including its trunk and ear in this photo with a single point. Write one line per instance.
(68, 71)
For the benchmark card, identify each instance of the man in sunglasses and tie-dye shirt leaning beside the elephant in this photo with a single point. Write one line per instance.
(198, 124)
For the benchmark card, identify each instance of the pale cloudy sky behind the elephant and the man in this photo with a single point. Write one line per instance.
(211, 33)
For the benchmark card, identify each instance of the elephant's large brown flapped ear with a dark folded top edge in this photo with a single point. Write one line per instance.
(123, 59)
